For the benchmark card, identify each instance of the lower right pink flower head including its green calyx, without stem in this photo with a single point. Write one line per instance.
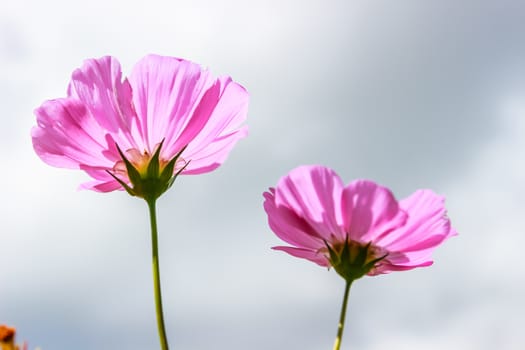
(359, 228)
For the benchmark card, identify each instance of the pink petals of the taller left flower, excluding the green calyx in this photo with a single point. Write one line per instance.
(165, 100)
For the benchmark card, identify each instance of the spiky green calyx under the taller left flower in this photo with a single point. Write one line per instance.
(152, 180)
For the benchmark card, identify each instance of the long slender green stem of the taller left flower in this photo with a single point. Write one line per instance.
(156, 274)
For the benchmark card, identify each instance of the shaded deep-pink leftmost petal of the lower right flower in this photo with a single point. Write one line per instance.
(288, 226)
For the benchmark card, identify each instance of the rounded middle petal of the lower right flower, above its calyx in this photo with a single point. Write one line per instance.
(370, 211)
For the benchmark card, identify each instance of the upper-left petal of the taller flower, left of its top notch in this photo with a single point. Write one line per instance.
(98, 84)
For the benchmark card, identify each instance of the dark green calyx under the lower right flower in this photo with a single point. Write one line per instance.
(352, 260)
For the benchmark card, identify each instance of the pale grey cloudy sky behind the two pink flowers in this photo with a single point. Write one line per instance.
(412, 94)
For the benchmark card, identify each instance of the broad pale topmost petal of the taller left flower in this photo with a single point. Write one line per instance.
(173, 99)
